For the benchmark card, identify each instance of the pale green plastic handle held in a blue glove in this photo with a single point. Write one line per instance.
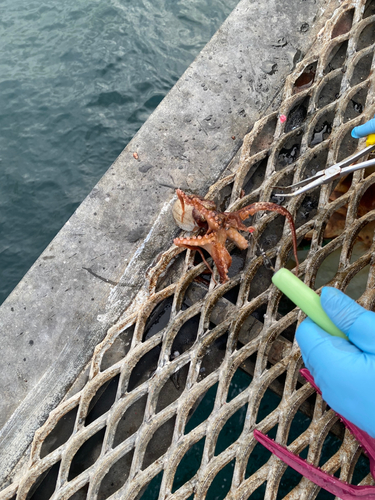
(306, 299)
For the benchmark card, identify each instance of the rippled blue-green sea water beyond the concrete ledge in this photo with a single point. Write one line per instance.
(77, 79)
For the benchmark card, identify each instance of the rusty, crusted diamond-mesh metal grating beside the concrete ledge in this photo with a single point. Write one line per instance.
(186, 338)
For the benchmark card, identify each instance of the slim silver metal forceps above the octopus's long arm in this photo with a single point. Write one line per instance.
(329, 174)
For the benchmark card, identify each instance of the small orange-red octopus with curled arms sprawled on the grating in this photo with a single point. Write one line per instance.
(220, 227)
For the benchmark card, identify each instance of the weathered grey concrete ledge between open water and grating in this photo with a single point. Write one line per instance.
(83, 281)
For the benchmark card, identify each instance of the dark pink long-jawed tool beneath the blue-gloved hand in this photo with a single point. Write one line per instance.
(330, 483)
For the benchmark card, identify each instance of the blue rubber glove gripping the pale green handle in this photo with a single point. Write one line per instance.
(344, 371)
